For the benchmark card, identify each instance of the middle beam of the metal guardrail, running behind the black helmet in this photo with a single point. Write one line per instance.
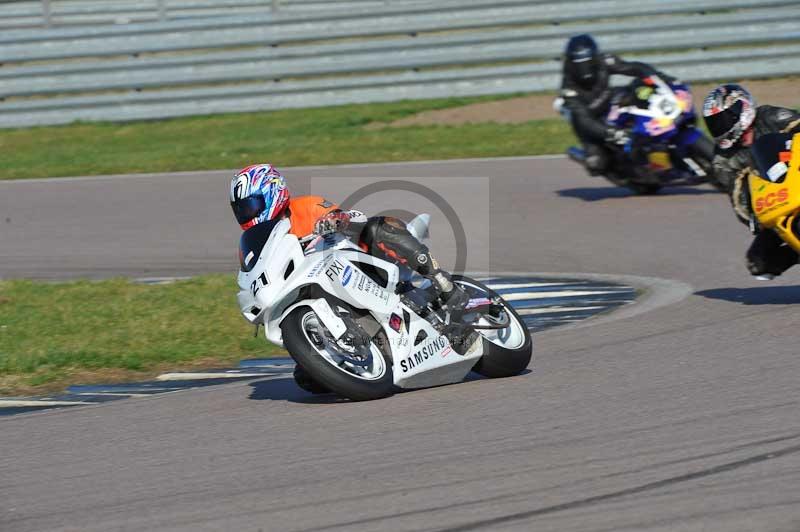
(373, 61)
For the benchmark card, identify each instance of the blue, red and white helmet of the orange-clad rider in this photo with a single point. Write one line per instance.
(258, 194)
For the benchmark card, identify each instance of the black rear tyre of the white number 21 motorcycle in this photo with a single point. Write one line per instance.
(498, 361)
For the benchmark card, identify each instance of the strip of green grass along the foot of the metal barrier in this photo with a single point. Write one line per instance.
(331, 135)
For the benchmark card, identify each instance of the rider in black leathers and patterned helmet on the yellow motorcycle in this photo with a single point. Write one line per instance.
(735, 122)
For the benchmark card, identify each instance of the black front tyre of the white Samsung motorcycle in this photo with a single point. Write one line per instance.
(327, 373)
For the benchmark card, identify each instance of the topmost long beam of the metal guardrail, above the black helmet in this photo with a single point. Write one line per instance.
(444, 15)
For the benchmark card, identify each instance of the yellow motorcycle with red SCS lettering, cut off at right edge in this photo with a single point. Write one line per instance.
(775, 190)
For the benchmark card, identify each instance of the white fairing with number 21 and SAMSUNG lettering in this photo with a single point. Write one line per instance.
(334, 271)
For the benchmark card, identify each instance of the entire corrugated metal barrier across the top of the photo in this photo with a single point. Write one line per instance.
(244, 55)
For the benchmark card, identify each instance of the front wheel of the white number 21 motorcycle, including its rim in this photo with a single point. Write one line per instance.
(334, 366)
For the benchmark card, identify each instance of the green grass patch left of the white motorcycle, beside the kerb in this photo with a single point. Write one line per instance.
(82, 332)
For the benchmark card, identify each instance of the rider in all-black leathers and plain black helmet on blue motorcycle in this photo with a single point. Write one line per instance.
(587, 97)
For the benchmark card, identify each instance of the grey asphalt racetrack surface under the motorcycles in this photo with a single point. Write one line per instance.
(681, 415)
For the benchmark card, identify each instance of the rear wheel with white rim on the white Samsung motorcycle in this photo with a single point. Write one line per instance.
(505, 353)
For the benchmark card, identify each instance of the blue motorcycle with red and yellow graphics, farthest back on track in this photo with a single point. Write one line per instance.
(665, 148)
